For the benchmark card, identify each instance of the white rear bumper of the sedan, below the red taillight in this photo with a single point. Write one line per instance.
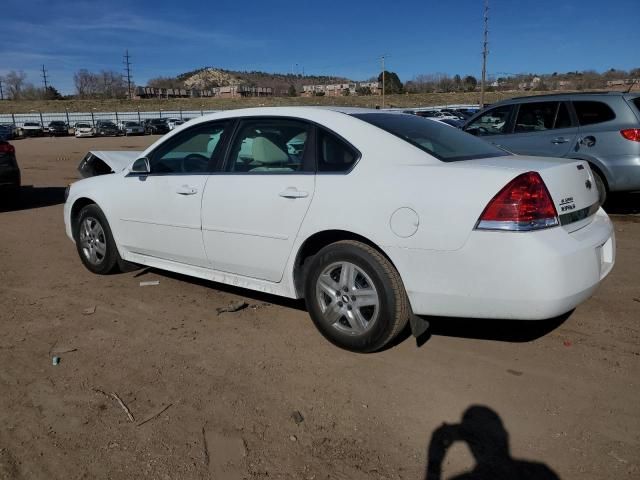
(509, 275)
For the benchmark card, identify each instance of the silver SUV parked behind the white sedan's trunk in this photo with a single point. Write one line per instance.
(601, 128)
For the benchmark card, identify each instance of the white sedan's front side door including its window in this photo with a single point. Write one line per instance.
(162, 215)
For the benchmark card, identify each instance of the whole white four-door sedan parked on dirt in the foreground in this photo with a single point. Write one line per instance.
(374, 218)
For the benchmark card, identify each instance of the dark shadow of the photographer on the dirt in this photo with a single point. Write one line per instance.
(482, 430)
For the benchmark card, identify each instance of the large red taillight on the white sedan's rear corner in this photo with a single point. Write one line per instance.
(524, 204)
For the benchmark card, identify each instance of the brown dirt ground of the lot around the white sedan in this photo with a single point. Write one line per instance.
(260, 394)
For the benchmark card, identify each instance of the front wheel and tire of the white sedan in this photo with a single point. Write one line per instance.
(94, 241)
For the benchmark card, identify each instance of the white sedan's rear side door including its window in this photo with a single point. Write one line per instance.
(253, 209)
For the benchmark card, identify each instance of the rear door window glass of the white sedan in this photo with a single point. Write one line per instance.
(269, 146)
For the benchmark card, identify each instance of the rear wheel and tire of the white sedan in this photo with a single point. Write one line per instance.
(355, 296)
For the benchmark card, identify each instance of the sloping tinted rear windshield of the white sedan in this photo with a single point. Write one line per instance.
(444, 142)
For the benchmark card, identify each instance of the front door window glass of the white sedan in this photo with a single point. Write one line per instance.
(195, 150)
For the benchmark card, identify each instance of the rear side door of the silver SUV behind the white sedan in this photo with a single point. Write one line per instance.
(543, 129)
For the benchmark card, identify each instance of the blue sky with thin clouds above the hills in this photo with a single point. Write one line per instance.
(167, 37)
